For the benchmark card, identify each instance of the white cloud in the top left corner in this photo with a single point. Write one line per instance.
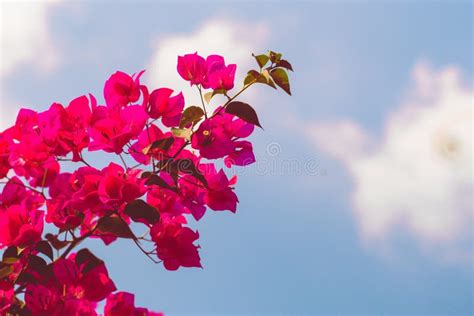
(24, 40)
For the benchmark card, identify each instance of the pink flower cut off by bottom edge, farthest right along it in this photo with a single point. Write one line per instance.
(123, 304)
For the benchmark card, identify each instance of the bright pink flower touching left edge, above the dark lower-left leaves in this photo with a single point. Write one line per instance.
(20, 227)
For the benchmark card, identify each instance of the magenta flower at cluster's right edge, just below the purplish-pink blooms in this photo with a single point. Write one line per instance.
(220, 195)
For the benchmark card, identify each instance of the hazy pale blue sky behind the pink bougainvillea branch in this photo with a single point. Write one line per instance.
(301, 242)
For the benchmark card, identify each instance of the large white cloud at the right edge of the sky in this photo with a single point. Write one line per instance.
(419, 177)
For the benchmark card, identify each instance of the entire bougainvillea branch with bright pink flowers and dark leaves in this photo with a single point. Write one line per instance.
(163, 172)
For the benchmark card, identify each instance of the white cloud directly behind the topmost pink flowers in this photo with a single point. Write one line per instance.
(231, 39)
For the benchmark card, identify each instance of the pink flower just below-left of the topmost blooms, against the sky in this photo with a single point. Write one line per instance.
(161, 104)
